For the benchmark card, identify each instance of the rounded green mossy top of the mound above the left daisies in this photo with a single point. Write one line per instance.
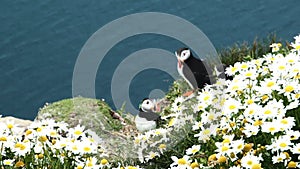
(91, 113)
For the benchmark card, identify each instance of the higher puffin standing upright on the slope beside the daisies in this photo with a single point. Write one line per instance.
(192, 70)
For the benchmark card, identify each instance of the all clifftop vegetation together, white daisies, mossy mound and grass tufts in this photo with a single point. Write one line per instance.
(244, 136)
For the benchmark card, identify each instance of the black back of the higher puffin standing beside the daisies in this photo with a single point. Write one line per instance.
(195, 71)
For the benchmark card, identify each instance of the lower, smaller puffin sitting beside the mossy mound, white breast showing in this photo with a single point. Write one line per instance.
(146, 119)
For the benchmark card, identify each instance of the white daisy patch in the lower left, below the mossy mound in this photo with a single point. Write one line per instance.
(48, 144)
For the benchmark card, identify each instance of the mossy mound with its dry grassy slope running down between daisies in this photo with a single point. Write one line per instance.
(95, 115)
